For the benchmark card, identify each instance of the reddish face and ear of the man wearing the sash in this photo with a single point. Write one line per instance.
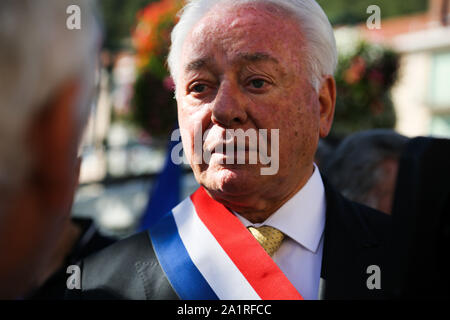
(243, 67)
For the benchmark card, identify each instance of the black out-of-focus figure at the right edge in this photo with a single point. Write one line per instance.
(419, 261)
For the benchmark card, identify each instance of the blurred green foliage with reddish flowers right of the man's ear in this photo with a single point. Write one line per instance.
(363, 81)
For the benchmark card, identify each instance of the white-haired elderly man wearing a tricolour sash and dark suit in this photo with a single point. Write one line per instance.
(267, 67)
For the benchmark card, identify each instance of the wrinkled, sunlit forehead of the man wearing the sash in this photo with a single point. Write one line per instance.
(239, 30)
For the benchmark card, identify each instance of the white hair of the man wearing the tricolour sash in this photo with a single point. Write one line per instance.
(321, 53)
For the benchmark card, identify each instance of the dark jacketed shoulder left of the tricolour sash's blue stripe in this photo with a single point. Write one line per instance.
(128, 269)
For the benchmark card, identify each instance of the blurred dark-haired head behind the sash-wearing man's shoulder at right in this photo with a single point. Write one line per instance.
(364, 167)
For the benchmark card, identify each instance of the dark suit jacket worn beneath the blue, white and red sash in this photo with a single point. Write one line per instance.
(355, 238)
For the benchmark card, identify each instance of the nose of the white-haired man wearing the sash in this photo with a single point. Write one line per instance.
(229, 106)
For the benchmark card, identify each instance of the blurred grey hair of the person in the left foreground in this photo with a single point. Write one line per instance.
(37, 54)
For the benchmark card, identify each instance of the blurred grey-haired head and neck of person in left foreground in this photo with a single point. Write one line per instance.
(47, 77)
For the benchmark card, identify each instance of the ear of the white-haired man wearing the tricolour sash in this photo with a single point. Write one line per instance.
(327, 100)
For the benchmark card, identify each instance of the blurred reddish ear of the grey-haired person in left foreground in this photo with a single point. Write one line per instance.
(53, 139)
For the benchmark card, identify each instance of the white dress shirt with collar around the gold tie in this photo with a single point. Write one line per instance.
(302, 220)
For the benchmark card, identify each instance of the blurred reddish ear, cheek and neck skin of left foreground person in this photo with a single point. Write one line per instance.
(35, 230)
